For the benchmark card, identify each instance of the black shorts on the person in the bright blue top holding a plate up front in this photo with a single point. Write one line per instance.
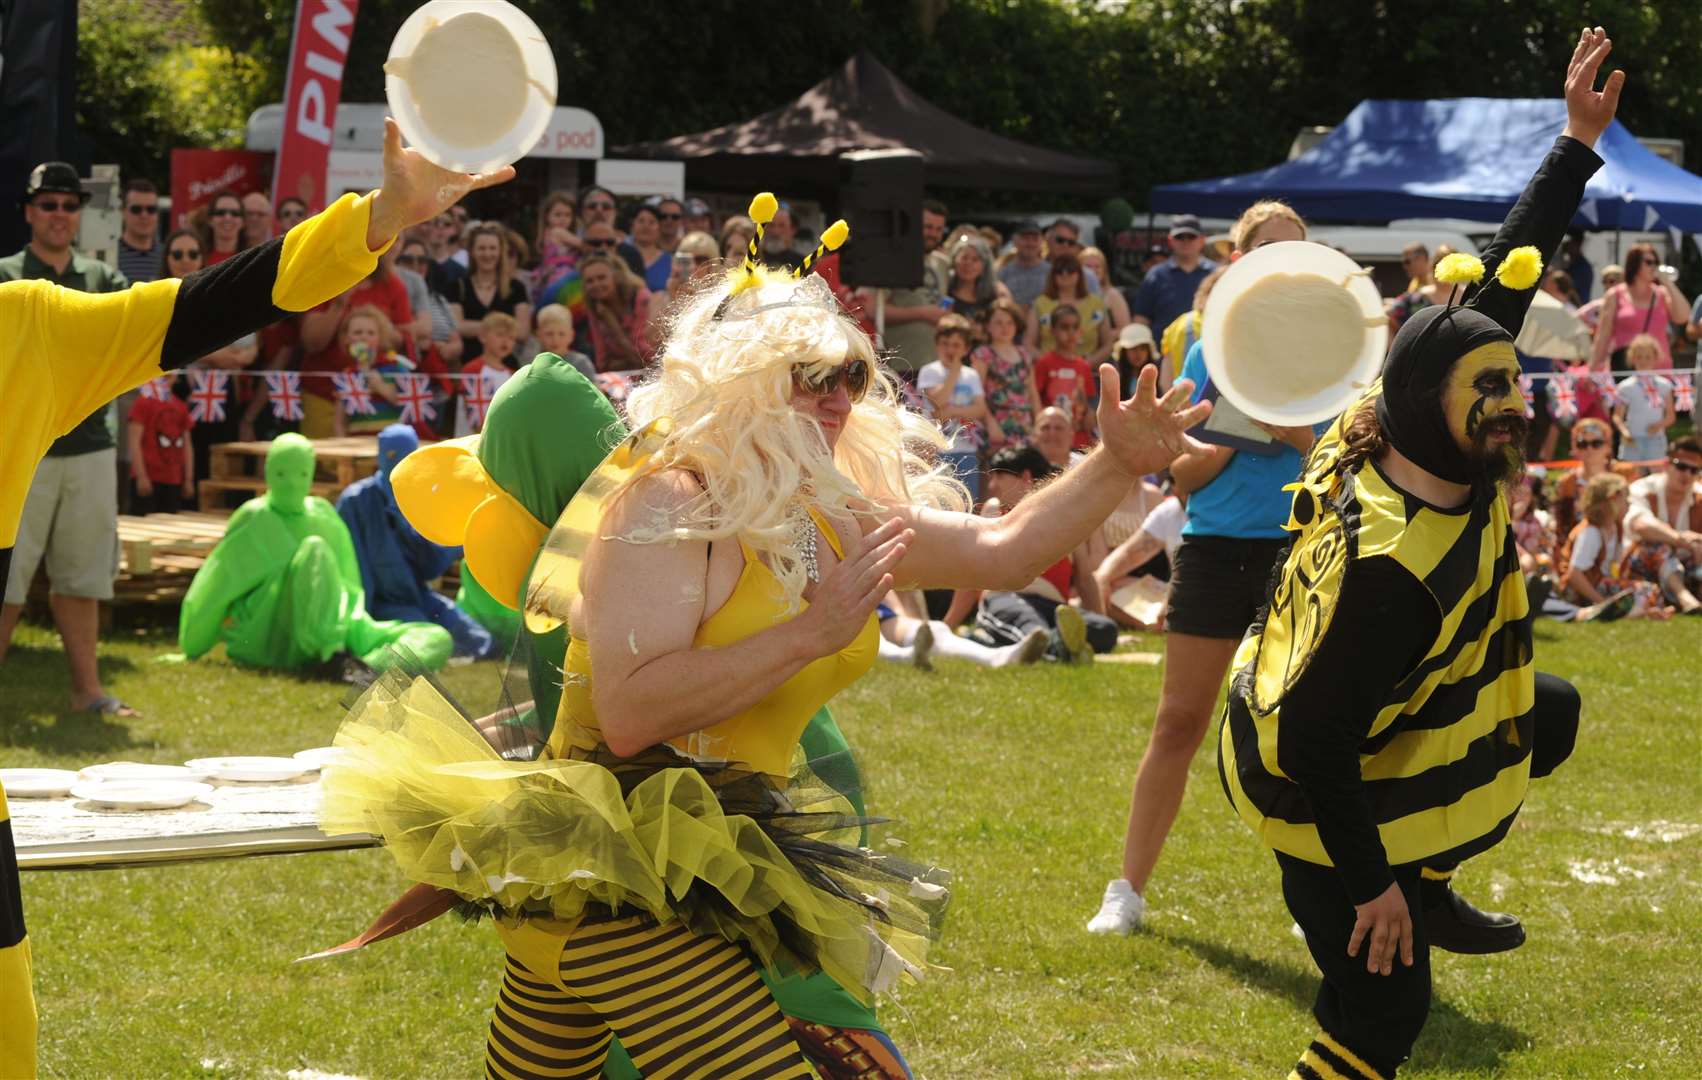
(1219, 584)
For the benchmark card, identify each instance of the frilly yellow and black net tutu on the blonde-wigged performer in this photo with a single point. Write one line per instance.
(716, 846)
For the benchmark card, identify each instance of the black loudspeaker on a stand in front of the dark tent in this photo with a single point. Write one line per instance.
(881, 198)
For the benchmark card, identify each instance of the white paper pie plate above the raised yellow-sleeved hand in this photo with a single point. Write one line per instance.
(496, 120)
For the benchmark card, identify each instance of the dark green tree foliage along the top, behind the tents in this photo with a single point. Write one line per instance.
(1168, 89)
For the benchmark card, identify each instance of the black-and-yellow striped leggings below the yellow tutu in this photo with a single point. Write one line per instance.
(683, 1006)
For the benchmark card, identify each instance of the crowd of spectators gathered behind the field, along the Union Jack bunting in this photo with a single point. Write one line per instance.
(1002, 343)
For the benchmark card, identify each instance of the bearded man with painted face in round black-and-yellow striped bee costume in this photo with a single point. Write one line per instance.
(1386, 717)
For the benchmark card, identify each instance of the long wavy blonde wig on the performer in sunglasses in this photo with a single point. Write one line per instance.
(726, 380)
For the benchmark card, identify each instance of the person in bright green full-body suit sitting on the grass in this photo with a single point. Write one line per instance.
(283, 588)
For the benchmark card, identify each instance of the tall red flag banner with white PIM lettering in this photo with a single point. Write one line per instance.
(317, 52)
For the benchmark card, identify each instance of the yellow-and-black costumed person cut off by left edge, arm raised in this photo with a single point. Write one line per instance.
(62, 355)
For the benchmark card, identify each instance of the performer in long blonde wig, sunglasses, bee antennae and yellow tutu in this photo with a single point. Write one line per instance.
(719, 577)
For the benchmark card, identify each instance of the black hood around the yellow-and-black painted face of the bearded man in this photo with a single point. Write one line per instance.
(1410, 407)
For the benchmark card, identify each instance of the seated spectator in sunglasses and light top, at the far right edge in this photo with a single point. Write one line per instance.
(1665, 525)
